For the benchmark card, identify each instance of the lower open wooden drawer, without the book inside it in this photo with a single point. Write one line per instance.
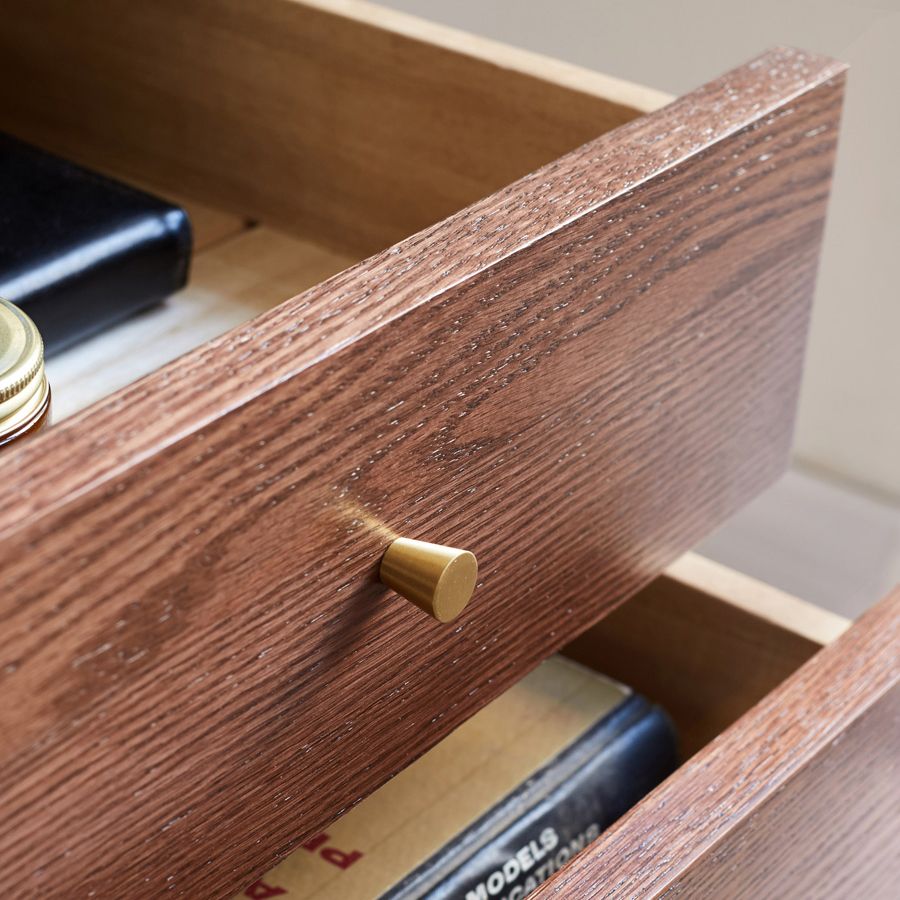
(797, 798)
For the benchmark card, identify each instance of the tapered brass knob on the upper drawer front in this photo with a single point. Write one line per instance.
(439, 580)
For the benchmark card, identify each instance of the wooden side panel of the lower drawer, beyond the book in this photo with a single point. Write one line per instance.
(706, 643)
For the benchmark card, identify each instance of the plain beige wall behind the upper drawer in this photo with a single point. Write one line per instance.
(849, 424)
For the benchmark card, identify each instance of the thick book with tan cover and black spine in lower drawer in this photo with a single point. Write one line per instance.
(498, 806)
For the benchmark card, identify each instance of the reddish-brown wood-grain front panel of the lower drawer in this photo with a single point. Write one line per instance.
(797, 800)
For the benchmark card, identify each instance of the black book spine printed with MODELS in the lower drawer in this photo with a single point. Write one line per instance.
(535, 830)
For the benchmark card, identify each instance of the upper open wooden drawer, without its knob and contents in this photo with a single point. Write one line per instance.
(576, 377)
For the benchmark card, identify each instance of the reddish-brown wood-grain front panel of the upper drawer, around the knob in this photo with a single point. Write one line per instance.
(576, 378)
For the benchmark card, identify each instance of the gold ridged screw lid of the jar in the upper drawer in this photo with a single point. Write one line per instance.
(24, 392)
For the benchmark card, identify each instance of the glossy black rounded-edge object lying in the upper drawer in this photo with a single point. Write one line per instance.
(80, 251)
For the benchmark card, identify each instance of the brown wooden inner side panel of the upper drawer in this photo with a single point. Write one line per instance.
(340, 121)
